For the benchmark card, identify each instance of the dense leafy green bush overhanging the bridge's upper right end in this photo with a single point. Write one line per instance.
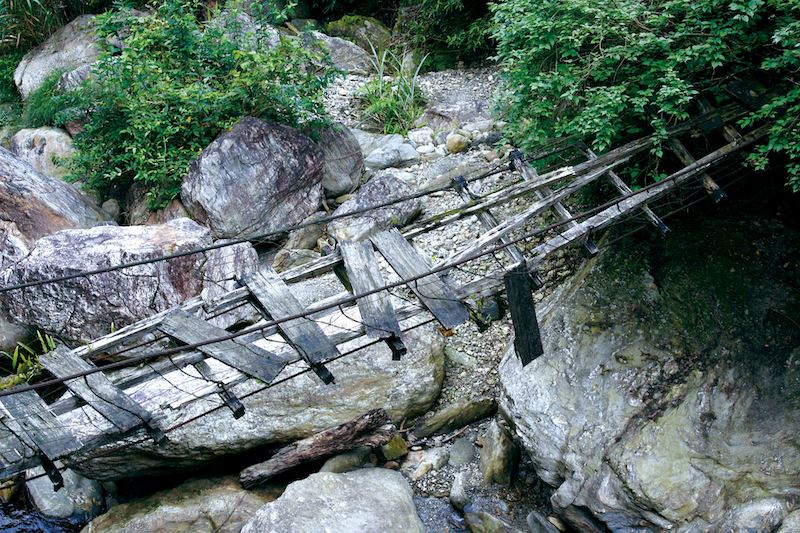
(603, 70)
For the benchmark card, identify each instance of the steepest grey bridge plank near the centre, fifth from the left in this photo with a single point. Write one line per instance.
(376, 310)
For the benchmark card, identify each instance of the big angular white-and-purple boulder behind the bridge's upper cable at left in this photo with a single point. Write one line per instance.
(85, 308)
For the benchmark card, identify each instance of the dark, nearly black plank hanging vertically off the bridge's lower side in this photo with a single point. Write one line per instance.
(527, 338)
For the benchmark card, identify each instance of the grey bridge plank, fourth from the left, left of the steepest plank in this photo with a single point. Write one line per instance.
(277, 302)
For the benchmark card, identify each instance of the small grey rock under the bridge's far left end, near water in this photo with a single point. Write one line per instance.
(78, 501)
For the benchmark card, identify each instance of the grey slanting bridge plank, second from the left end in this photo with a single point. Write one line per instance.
(97, 391)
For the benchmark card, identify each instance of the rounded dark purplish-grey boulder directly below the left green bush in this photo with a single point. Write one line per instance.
(254, 179)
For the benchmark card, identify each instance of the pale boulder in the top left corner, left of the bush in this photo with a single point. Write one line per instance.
(73, 45)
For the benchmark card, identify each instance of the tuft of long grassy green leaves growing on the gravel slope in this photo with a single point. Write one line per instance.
(394, 102)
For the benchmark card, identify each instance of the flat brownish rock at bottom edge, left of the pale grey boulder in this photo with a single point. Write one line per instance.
(216, 505)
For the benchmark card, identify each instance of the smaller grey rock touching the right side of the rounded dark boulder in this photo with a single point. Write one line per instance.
(344, 163)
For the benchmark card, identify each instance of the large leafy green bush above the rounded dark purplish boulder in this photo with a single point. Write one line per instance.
(175, 87)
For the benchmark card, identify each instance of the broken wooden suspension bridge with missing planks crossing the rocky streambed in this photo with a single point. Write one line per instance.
(34, 433)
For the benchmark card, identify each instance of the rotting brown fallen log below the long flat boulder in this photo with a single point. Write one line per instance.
(366, 430)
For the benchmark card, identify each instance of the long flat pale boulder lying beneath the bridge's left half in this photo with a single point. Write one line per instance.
(286, 412)
